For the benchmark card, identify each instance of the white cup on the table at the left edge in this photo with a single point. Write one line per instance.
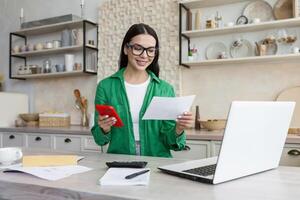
(10, 155)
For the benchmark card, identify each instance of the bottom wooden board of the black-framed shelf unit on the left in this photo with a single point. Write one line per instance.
(53, 75)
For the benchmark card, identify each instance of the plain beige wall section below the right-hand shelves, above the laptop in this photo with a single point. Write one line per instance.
(217, 86)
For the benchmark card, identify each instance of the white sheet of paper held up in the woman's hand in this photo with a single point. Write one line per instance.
(168, 108)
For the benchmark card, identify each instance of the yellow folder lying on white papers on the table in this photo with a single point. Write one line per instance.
(49, 160)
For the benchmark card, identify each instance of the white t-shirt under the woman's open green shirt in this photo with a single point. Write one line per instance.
(136, 94)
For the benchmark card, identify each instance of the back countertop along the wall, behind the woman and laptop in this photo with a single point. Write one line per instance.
(192, 134)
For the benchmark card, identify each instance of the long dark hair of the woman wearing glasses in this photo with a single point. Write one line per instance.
(135, 30)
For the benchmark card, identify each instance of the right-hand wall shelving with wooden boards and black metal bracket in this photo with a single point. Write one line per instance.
(188, 5)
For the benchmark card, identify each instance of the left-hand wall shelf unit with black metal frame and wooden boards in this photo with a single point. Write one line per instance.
(48, 29)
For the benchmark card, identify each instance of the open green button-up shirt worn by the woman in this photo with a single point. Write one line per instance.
(157, 137)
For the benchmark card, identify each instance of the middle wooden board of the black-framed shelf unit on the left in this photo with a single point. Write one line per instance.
(49, 51)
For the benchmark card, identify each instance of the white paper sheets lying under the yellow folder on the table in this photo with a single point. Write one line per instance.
(51, 173)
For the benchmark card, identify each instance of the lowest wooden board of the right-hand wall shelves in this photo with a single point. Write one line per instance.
(255, 59)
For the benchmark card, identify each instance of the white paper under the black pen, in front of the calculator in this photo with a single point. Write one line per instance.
(116, 176)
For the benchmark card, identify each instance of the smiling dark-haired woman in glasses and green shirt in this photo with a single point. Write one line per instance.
(130, 91)
